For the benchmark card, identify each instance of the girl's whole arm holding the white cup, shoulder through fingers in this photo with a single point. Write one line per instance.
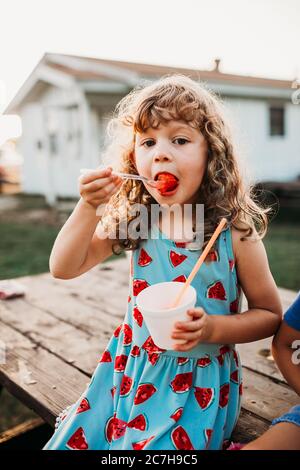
(264, 313)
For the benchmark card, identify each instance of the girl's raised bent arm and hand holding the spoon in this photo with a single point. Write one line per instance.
(77, 247)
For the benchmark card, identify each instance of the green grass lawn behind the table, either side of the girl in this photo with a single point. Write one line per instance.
(25, 249)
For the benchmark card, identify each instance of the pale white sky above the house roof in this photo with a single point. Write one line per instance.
(251, 37)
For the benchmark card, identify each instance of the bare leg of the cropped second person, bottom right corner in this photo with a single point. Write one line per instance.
(281, 436)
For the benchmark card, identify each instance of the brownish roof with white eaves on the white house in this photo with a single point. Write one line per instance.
(65, 70)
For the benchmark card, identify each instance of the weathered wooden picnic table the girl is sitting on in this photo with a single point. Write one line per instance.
(54, 337)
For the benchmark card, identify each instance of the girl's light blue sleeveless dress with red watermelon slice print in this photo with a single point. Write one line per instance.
(144, 397)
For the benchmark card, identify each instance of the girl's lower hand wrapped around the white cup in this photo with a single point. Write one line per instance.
(197, 330)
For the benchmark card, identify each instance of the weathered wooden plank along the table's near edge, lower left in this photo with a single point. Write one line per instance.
(31, 372)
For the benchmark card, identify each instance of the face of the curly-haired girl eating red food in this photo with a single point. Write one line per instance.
(175, 148)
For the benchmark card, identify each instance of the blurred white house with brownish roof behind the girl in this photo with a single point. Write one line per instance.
(66, 101)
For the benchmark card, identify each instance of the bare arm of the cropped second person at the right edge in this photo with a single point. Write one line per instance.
(286, 352)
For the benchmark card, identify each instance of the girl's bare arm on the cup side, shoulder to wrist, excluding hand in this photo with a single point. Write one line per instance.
(264, 313)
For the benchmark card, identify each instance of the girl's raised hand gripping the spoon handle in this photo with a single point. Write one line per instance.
(98, 186)
